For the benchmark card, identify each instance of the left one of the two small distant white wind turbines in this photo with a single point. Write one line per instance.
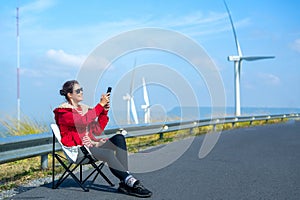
(130, 101)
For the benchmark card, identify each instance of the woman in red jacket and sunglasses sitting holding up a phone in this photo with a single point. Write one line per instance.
(78, 124)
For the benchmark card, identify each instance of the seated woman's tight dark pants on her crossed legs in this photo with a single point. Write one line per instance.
(114, 152)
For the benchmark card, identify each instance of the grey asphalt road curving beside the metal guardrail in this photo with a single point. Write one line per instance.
(260, 162)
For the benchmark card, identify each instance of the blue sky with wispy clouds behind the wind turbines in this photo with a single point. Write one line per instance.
(57, 36)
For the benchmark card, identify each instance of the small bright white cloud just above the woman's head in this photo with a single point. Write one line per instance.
(61, 57)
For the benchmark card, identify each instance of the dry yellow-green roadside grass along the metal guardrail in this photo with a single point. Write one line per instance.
(18, 172)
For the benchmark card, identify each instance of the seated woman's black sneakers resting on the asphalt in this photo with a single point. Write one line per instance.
(137, 190)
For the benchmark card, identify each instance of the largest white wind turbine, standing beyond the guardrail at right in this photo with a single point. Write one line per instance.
(238, 64)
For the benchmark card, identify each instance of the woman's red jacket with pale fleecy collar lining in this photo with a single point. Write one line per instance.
(73, 125)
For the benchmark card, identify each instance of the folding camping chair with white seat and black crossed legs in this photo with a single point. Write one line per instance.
(77, 156)
